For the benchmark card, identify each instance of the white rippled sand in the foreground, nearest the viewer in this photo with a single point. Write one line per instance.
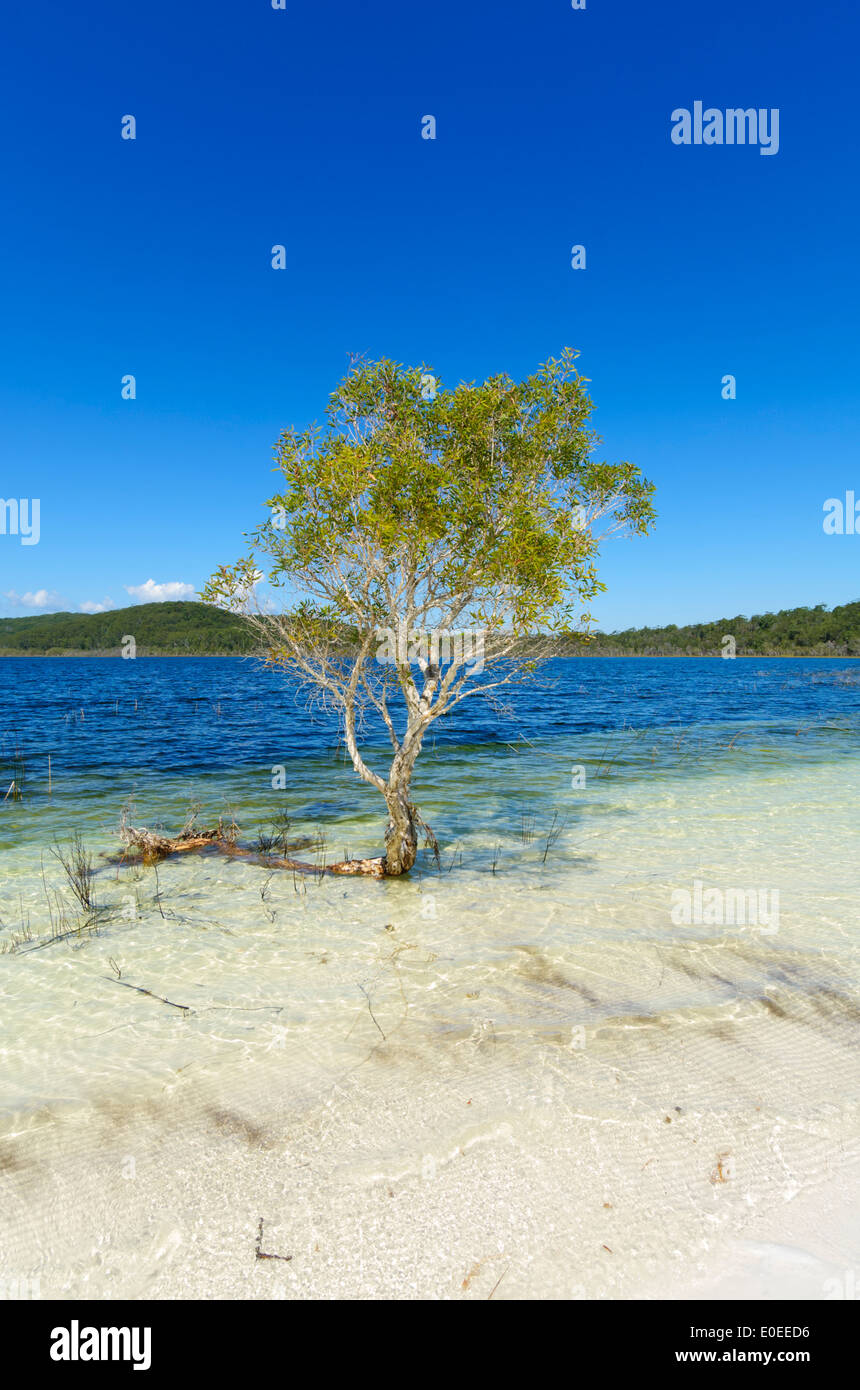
(656, 1161)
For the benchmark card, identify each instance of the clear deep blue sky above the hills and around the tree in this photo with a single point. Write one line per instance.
(304, 127)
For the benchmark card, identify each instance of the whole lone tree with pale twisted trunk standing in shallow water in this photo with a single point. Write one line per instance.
(433, 539)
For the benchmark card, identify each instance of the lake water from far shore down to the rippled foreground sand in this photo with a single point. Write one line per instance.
(574, 832)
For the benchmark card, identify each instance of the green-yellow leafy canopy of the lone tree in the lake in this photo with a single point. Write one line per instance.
(480, 501)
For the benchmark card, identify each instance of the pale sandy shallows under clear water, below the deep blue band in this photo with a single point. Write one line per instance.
(522, 1074)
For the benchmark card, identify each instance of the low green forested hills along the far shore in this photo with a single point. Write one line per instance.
(188, 629)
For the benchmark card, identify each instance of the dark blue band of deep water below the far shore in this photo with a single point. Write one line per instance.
(163, 715)
